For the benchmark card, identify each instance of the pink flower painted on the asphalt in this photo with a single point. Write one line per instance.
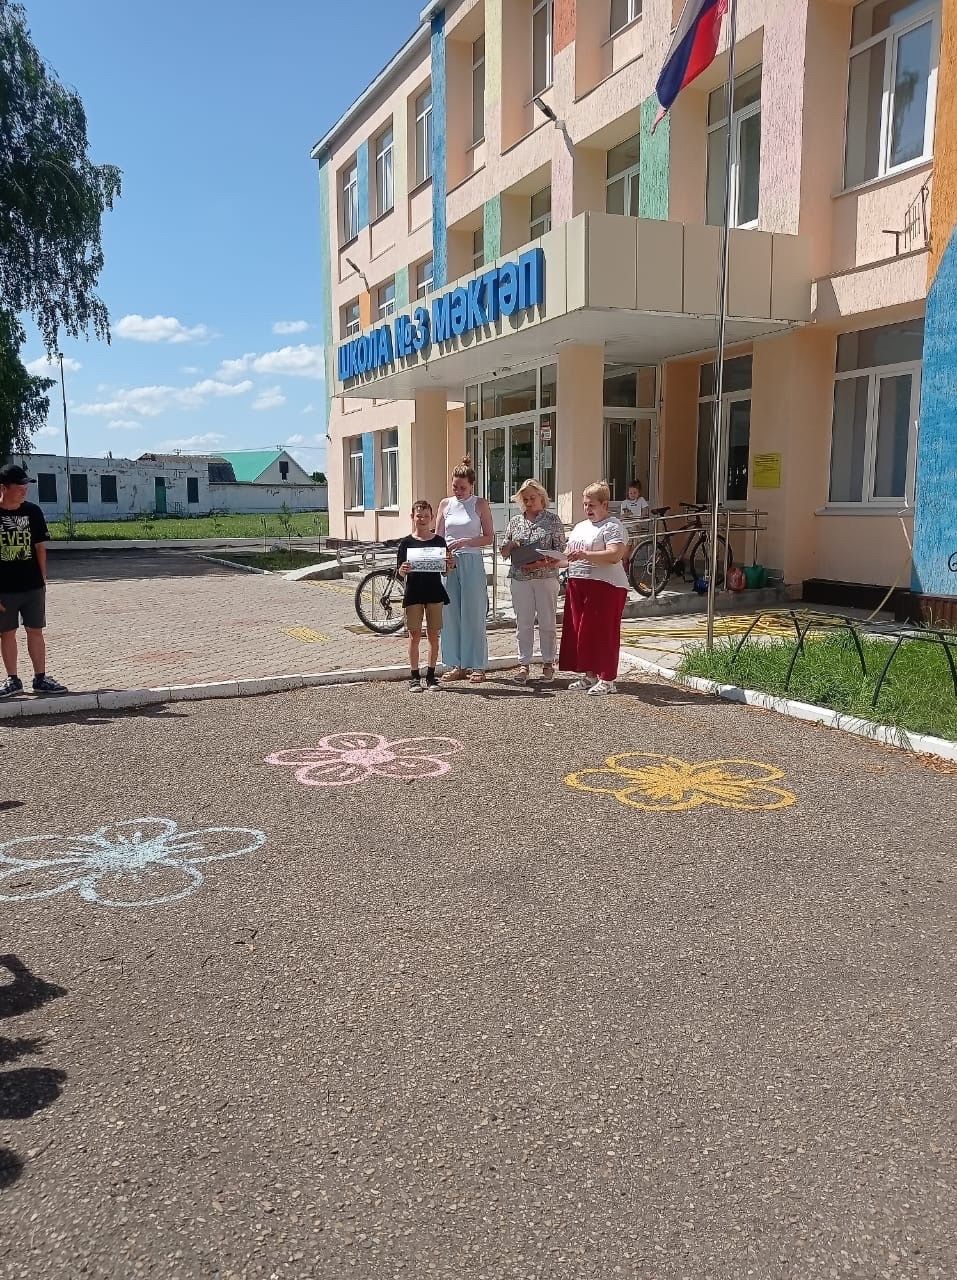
(344, 760)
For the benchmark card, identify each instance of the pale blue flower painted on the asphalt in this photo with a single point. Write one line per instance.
(143, 862)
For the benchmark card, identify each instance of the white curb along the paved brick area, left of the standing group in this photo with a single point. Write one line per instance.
(121, 700)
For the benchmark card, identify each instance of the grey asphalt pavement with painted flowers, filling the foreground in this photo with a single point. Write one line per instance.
(363, 984)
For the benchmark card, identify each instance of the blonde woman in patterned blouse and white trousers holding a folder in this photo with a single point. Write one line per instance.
(534, 579)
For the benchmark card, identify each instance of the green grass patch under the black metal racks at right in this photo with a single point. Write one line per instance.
(918, 694)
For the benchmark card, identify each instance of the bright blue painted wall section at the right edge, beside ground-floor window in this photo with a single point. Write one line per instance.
(936, 500)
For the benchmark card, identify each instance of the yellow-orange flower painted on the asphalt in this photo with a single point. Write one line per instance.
(662, 783)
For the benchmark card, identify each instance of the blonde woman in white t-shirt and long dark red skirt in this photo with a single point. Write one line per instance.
(598, 588)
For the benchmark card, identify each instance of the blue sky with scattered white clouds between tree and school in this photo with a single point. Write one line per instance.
(210, 109)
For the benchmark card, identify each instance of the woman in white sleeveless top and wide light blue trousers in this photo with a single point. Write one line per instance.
(465, 523)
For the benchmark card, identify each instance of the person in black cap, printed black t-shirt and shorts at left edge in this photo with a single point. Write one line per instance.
(24, 538)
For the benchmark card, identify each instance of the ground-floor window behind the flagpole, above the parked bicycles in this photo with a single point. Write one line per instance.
(736, 432)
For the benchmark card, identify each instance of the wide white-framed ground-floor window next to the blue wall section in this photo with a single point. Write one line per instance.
(877, 400)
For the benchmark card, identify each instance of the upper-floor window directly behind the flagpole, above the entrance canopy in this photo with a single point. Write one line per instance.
(745, 150)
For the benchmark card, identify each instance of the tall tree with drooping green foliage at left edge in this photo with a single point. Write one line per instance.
(52, 204)
